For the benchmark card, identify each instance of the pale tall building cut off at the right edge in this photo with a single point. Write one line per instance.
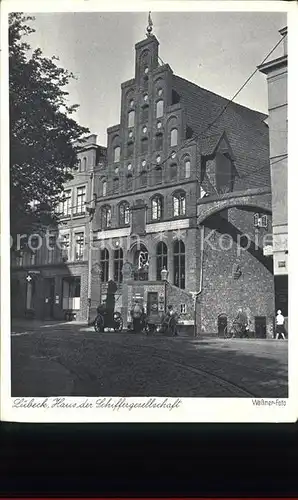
(277, 80)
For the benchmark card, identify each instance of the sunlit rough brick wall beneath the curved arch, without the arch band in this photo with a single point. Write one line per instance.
(221, 292)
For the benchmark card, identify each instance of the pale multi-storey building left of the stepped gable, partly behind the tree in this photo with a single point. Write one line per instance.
(51, 280)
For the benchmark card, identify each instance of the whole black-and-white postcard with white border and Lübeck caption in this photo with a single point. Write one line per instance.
(148, 197)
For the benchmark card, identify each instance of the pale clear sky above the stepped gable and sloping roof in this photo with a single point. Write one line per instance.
(215, 50)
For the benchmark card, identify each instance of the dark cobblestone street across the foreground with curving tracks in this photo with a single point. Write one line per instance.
(73, 360)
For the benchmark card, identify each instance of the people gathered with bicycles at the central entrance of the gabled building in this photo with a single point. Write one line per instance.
(140, 320)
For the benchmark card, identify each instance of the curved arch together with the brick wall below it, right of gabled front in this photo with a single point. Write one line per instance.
(236, 273)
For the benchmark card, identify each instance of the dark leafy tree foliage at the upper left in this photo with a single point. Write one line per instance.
(44, 137)
